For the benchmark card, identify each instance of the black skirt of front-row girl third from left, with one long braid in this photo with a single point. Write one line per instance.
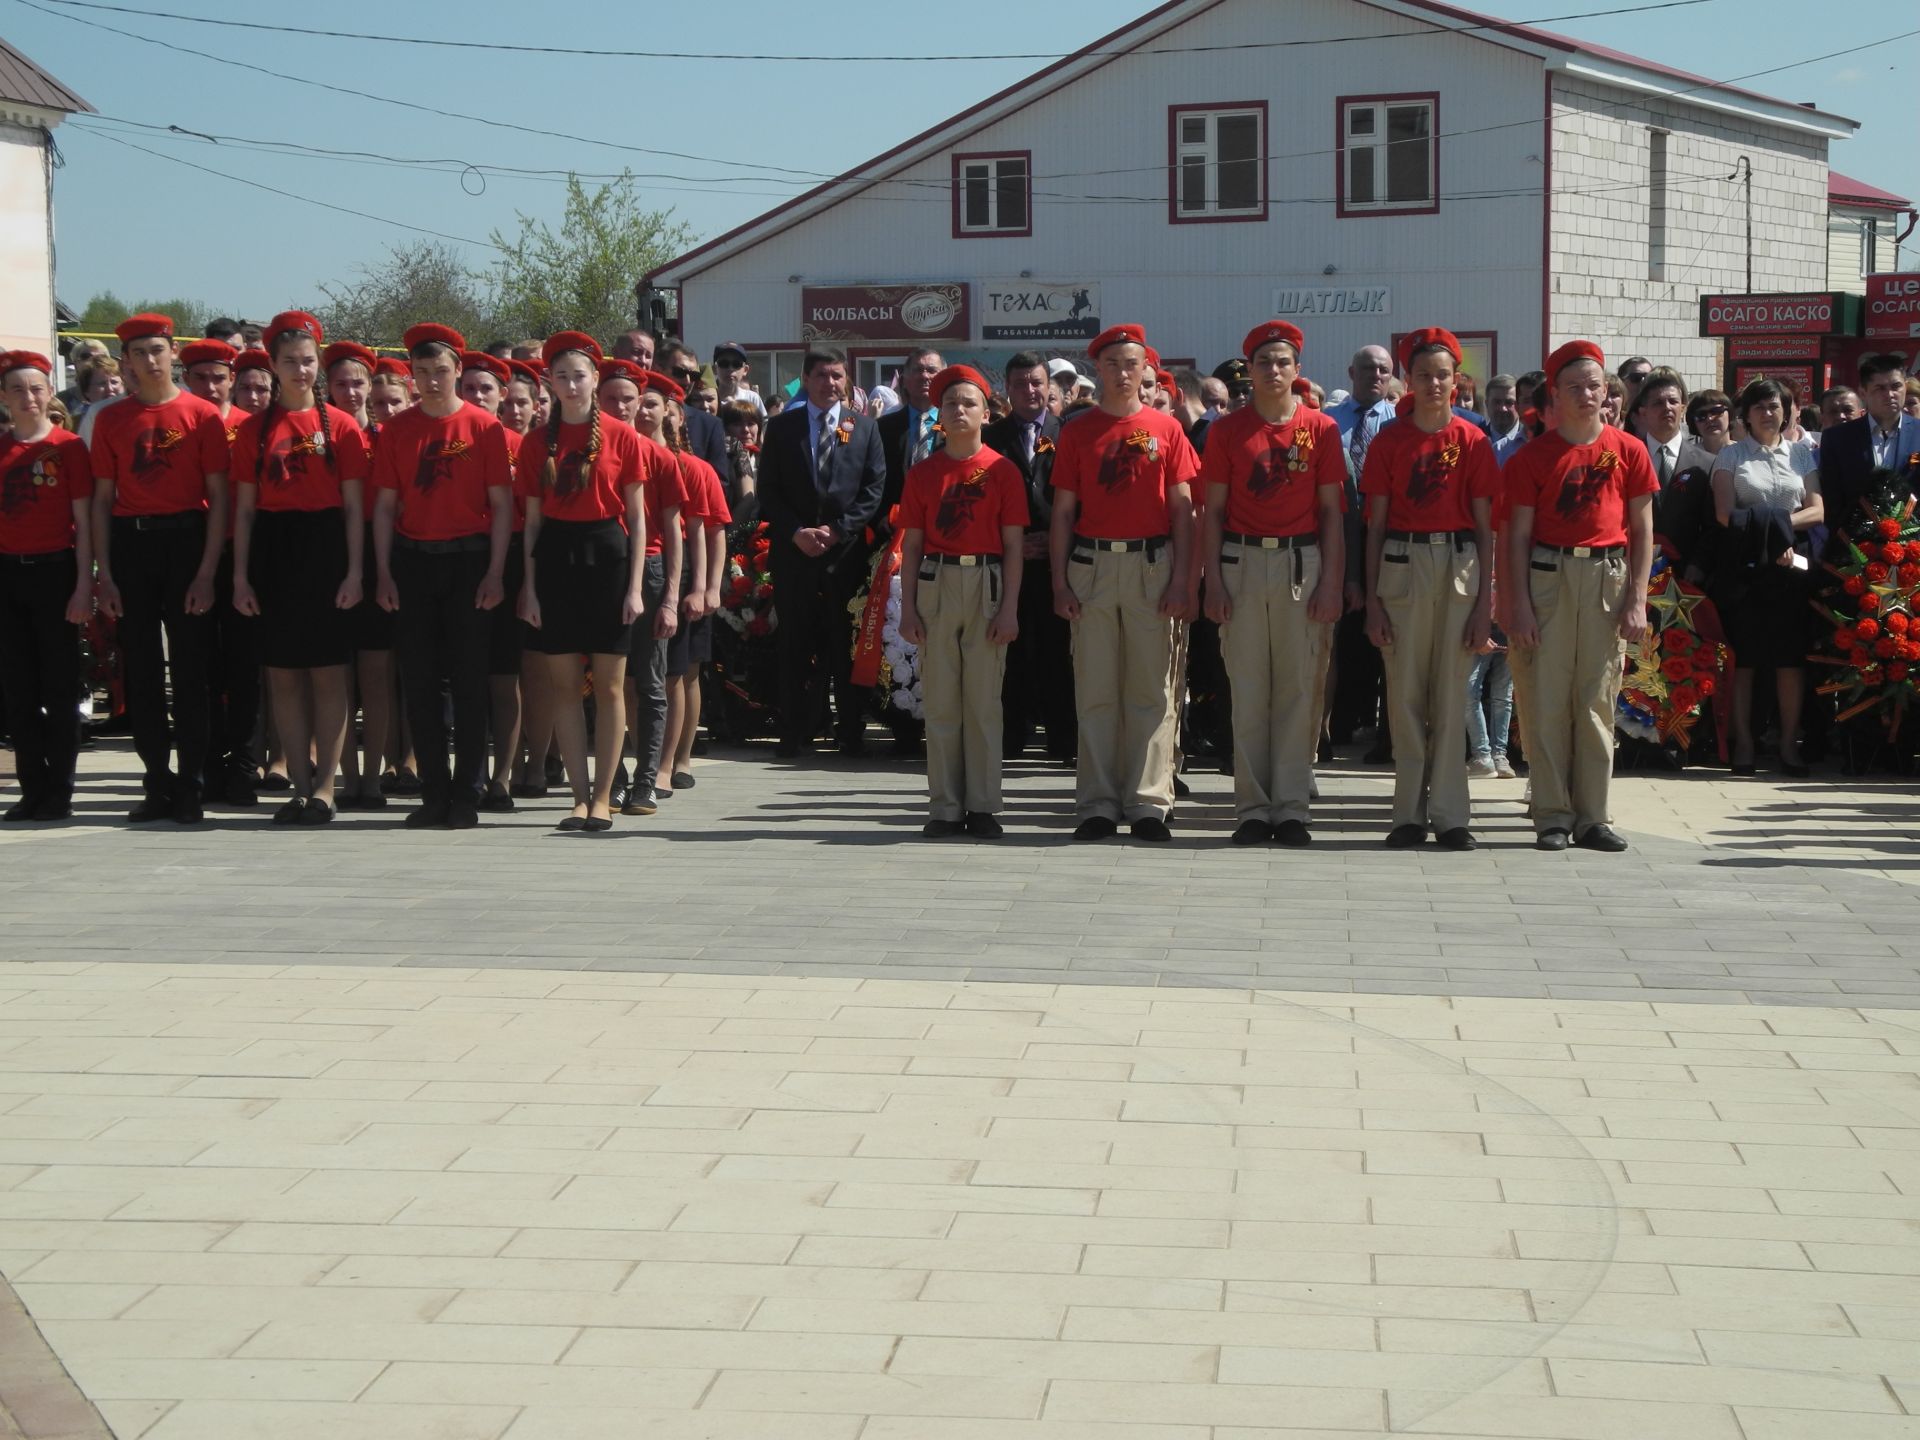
(299, 564)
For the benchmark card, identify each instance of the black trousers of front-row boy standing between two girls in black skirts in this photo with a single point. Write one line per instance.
(439, 633)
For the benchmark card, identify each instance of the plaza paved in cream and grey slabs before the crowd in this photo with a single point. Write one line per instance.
(769, 1120)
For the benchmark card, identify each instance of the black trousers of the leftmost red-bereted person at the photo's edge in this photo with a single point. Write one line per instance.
(41, 673)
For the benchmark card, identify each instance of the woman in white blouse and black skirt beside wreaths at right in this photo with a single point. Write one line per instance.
(1765, 606)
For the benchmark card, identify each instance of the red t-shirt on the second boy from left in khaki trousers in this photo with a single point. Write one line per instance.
(1122, 468)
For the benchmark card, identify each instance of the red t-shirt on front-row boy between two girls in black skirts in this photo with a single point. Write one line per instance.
(443, 469)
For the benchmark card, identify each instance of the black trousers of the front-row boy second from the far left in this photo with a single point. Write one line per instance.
(153, 571)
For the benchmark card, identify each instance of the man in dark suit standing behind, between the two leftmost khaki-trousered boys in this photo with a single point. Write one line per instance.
(1040, 663)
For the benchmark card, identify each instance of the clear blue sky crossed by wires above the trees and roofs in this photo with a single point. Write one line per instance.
(252, 252)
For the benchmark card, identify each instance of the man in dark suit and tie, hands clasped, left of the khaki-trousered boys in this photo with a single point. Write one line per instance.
(823, 475)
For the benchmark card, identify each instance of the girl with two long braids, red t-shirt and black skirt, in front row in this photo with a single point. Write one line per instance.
(581, 477)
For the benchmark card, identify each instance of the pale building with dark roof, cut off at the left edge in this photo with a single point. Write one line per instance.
(32, 105)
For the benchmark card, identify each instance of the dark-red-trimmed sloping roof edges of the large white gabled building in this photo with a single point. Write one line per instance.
(1556, 51)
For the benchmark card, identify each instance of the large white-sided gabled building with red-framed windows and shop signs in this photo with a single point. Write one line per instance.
(1362, 168)
